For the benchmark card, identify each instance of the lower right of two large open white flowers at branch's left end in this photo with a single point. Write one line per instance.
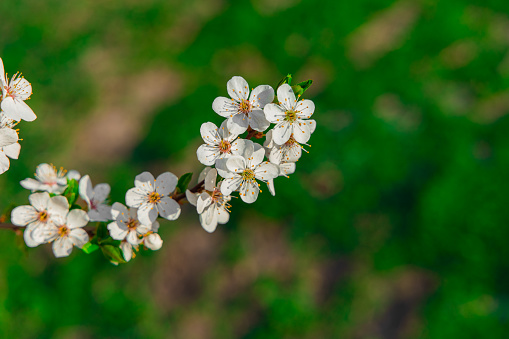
(65, 230)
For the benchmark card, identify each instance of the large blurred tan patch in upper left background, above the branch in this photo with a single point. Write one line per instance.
(125, 108)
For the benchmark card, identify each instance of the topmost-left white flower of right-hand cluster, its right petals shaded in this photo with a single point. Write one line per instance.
(244, 110)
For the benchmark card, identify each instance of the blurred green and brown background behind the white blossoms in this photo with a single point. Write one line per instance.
(395, 225)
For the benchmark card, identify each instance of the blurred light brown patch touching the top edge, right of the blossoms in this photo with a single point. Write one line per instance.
(385, 32)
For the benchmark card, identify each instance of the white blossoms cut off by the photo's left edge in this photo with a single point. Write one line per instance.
(12, 109)
